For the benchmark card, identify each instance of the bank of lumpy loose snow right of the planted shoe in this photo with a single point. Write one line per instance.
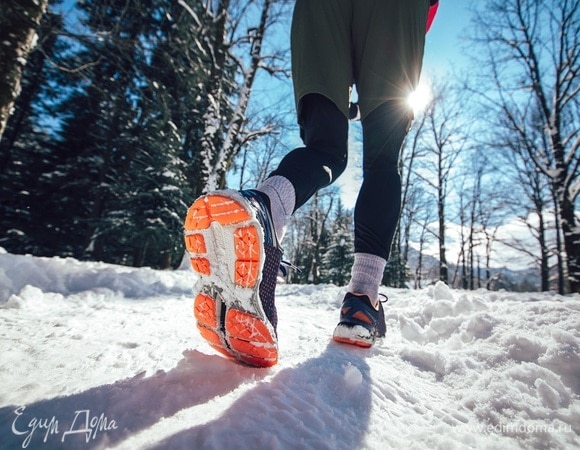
(512, 360)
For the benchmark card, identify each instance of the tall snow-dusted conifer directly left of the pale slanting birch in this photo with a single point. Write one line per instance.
(149, 205)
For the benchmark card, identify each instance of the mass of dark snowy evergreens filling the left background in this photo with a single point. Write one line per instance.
(145, 93)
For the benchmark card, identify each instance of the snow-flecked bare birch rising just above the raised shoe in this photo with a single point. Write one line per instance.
(220, 142)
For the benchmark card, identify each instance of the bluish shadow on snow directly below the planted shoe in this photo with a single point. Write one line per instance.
(324, 403)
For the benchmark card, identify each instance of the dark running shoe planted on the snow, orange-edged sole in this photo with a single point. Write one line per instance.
(360, 322)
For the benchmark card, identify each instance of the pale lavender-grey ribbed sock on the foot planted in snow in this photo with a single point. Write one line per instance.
(366, 275)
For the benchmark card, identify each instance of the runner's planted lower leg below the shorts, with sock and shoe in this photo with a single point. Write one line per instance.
(376, 216)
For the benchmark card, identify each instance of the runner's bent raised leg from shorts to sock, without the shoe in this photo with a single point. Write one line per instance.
(322, 76)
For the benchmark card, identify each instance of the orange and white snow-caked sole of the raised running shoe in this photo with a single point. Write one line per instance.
(241, 333)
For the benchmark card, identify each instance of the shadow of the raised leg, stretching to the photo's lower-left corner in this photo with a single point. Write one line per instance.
(108, 414)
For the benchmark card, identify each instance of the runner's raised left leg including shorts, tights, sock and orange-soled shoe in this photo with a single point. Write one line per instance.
(232, 237)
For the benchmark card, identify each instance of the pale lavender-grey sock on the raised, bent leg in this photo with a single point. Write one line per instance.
(282, 201)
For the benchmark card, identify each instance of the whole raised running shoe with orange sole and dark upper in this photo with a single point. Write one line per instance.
(233, 247)
